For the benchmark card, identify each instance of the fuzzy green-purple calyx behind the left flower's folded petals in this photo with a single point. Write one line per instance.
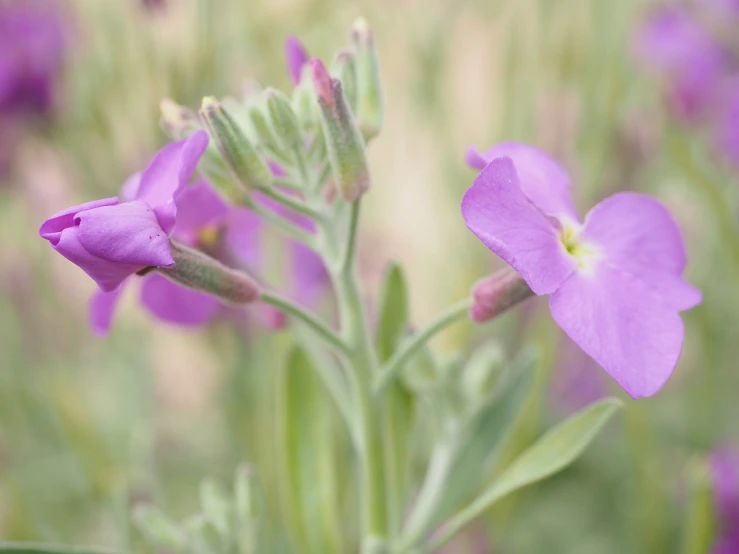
(197, 271)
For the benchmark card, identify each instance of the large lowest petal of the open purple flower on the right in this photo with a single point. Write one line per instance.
(622, 325)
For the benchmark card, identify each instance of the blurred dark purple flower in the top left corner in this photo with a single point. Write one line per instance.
(31, 54)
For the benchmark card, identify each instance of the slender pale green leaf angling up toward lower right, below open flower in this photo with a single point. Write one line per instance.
(551, 453)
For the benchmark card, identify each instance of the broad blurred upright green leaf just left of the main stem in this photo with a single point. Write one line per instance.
(308, 473)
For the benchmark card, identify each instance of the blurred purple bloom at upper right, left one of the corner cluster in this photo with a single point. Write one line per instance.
(673, 43)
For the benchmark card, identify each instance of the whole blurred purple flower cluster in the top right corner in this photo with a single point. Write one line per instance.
(693, 47)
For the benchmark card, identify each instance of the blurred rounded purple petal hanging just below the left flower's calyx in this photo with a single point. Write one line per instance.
(176, 304)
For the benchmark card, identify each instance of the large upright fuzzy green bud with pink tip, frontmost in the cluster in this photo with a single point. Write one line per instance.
(343, 140)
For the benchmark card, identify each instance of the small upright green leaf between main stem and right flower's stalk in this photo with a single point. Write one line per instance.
(392, 322)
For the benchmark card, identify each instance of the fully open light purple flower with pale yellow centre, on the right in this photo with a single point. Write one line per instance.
(615, 280)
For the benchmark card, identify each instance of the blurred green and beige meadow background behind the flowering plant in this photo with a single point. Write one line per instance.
(90, 427)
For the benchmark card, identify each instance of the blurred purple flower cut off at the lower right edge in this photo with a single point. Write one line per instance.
(725, 473)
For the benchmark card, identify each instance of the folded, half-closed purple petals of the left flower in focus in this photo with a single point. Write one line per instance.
(112, 239)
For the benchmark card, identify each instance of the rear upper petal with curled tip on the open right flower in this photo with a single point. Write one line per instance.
(542, 179)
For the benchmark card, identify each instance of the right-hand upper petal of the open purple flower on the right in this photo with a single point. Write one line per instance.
(638, 236)
